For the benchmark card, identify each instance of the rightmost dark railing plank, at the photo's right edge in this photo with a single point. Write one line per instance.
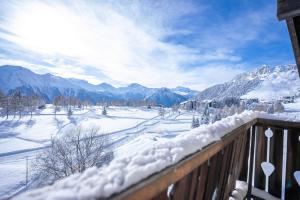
(293, 164)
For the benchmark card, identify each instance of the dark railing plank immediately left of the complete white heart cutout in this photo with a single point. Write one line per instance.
(260, 156)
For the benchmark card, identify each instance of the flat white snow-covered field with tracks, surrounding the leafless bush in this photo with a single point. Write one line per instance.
(24, 138)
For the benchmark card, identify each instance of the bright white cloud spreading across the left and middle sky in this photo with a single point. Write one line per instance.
(123, 41)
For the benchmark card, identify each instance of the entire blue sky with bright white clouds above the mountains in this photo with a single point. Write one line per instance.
(155, 43)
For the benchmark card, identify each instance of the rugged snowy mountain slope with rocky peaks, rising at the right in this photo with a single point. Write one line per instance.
(265, 83)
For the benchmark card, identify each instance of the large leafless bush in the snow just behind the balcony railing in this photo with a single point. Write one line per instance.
(76, 151)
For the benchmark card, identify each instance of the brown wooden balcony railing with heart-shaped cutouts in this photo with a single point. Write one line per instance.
(212, 172)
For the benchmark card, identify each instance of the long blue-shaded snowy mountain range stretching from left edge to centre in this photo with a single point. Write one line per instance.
(49, 86)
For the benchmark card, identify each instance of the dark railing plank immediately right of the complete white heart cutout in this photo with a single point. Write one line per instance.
(276, 177)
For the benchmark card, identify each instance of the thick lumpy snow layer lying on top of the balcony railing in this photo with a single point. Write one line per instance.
(124, 172)
